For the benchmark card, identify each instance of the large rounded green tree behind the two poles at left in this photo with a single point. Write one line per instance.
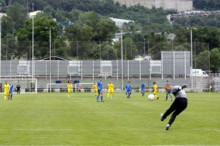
(42, 26)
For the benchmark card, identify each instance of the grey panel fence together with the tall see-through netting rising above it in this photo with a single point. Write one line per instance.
(105, 59)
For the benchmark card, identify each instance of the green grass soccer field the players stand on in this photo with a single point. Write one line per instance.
(55, 119)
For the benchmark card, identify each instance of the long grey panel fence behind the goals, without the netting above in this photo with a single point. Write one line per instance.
(88, 71)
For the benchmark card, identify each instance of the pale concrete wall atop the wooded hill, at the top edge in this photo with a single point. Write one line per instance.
(179, 5)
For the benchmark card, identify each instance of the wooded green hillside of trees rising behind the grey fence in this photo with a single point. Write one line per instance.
(83, 30)
